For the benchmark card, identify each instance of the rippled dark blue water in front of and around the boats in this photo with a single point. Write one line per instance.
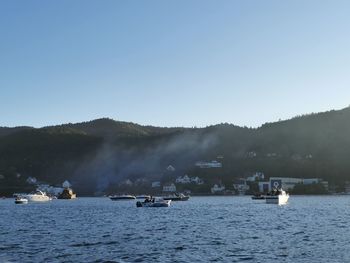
(204, 229)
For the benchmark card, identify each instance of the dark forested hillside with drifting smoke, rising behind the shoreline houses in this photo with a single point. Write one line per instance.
(101, 153)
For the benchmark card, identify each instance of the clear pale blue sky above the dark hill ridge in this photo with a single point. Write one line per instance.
(172, 63)
